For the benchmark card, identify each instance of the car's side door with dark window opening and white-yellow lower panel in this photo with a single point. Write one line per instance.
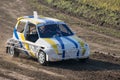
(31, 36)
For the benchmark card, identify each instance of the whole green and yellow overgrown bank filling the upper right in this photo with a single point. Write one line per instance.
(102, 12)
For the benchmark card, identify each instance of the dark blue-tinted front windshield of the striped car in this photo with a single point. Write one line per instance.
(54, 30)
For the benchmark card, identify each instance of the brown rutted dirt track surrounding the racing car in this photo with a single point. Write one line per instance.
(103, 64)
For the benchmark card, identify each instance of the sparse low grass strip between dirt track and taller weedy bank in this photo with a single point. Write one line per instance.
(47, 11)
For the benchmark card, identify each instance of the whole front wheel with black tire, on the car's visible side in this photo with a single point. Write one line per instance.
(42, 58)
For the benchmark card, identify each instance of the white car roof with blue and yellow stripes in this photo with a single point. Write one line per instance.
(40, 20)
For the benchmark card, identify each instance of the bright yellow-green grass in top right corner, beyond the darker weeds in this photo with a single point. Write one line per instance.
(113, 5)
